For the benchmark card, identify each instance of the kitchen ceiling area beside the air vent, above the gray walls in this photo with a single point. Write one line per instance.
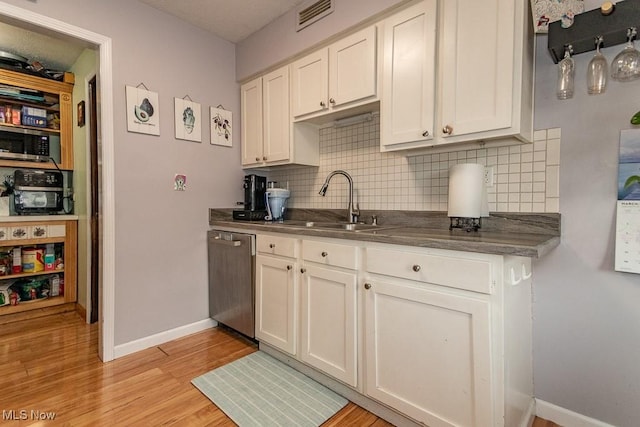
(232, 20)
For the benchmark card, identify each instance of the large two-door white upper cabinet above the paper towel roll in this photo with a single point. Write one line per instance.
(483, 73)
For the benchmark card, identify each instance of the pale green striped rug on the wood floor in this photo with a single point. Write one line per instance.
(258, 390)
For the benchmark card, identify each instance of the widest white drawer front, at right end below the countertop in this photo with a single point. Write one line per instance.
(448, 270)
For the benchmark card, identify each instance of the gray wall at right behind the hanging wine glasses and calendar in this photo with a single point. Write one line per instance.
(587, 319)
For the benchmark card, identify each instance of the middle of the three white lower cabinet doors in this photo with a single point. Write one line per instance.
(328, 322)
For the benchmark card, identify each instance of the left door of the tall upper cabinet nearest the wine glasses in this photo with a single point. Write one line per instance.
(408, 97)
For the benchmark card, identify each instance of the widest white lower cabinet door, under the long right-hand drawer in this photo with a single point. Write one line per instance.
(428, 354)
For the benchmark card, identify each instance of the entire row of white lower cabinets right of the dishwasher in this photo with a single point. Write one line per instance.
(442, 337)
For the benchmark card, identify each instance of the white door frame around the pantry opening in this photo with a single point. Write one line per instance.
(106, 136)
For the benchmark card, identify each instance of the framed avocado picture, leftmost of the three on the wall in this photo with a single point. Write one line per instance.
(142, 111)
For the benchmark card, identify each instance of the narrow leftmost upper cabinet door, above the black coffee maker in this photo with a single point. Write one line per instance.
(251, 105)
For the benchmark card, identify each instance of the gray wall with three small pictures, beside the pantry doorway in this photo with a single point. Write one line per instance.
(161, 274)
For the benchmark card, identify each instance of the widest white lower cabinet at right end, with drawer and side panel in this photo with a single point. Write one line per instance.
(439, 332)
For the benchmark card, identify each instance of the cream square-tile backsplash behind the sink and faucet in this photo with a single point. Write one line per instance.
(526, 176)
